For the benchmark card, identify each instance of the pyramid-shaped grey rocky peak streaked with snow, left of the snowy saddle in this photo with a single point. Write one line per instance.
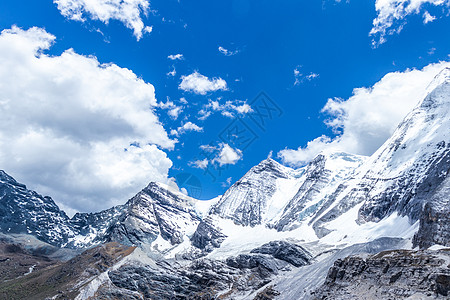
(157, 212)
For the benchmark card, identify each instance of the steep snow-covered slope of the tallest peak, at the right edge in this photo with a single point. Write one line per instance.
(402, 175)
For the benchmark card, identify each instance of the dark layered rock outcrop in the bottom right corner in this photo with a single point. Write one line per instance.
(396, 274)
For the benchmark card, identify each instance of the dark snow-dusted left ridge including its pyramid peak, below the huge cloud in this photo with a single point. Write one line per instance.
(155, 211)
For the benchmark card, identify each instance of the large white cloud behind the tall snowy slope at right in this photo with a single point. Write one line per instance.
(369, 117)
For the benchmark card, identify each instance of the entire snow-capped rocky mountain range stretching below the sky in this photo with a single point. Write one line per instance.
(339, 226)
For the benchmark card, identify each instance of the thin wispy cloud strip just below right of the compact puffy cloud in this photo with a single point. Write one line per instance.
(228, 109)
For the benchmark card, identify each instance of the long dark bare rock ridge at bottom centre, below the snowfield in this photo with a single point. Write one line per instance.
(204, 278)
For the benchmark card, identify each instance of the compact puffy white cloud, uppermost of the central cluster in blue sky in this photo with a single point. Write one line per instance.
(201, 84)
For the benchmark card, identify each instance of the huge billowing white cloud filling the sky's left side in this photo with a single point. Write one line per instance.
(80, 131)
